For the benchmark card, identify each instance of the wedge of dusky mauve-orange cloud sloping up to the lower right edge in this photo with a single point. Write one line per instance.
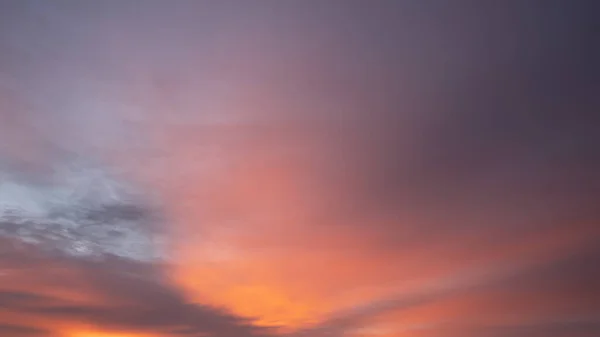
(557, 285)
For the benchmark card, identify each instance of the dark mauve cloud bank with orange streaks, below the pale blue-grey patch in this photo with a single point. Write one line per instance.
(124, 301)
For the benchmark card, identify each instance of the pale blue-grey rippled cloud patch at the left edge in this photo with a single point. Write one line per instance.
(80, 210)
